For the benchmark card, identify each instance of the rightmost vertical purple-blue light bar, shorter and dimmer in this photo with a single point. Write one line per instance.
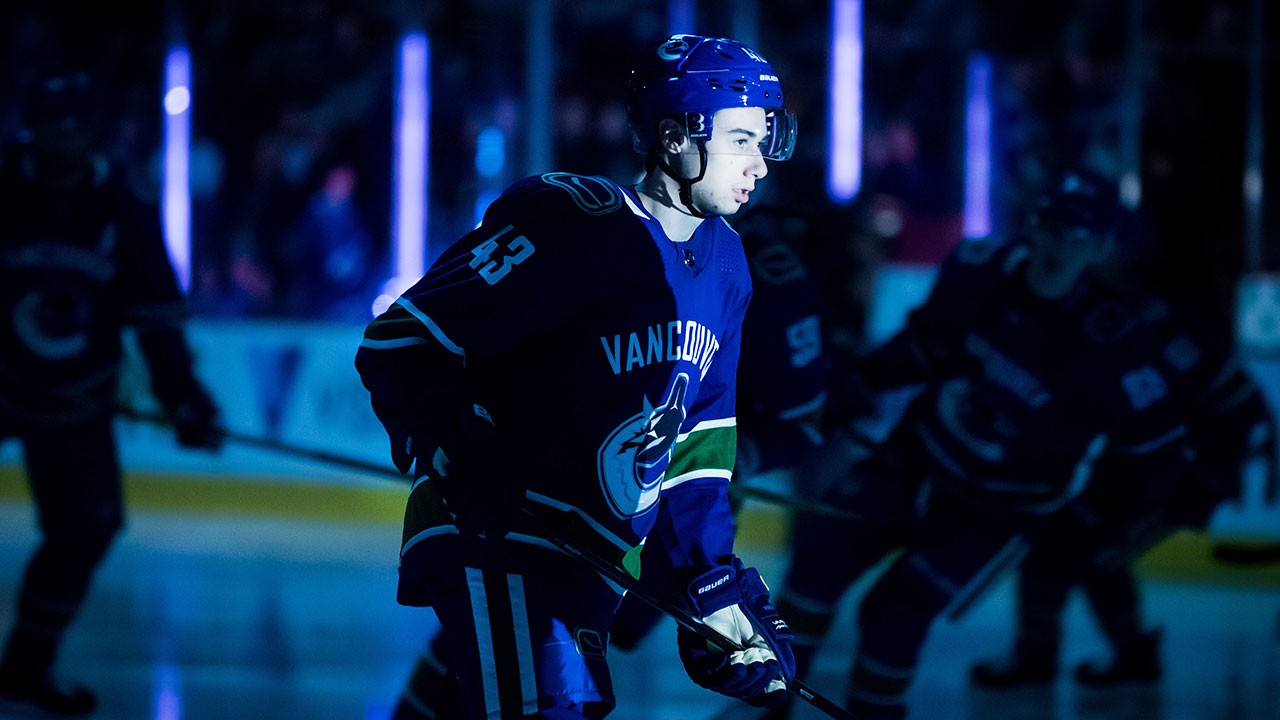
(977, 156)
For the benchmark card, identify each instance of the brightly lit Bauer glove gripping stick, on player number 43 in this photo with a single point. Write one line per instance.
(735, 603)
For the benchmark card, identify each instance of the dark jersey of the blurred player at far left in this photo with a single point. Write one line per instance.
(76, 267)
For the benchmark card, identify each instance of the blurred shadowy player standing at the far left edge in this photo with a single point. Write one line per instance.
(81, 257)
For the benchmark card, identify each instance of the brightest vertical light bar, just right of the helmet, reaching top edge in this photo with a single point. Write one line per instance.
(845, 126)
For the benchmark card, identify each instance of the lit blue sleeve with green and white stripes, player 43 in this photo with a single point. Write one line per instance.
(694, 528)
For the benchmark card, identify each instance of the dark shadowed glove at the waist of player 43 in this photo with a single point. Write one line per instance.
(472, 471)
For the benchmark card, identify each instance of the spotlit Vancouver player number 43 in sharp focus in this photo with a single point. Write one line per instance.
(575, 356)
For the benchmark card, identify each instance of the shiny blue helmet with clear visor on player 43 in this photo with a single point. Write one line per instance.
(689, 78)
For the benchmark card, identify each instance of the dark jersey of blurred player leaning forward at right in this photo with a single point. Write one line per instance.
(1023, 395)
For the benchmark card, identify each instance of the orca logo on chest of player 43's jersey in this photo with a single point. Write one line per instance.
(633, 459)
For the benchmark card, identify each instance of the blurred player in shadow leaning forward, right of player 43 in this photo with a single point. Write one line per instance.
(1030, 373)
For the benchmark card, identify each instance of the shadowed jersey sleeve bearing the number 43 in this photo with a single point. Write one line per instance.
(508, 280)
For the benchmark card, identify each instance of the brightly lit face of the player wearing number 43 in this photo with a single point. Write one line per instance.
(734, 161)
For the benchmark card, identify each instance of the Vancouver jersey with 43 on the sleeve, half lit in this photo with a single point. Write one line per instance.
(605, 353)
